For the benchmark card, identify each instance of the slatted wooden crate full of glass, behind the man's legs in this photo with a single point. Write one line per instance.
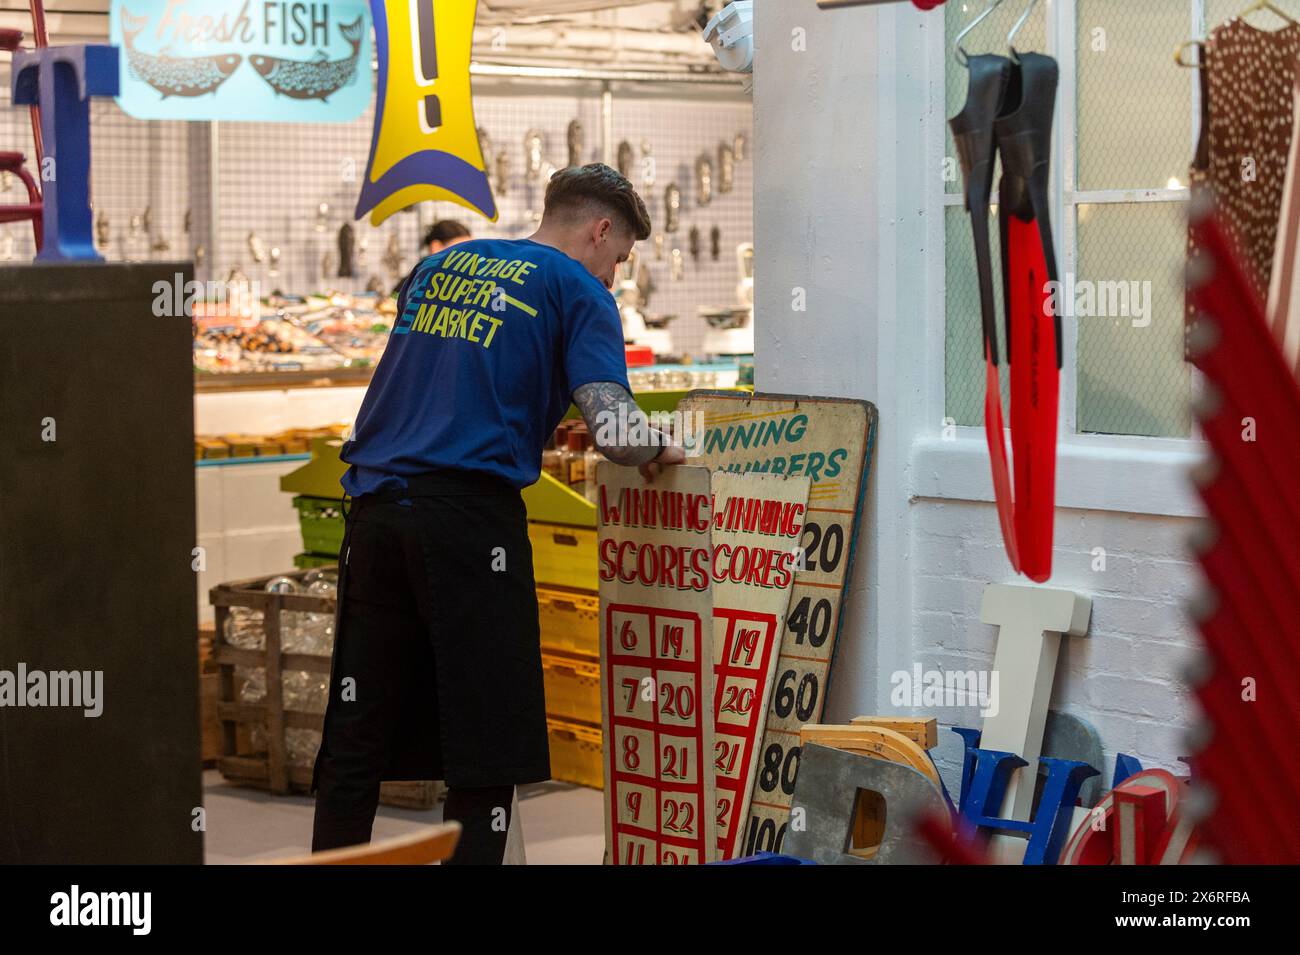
(271, 770)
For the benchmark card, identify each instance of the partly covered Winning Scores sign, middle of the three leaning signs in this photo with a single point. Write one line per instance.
(759, 522)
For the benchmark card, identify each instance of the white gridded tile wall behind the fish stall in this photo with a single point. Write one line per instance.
(272, 179)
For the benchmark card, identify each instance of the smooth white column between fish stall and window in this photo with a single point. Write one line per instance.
(847, 209)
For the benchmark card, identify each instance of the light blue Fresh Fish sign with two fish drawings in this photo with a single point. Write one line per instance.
(244, 60)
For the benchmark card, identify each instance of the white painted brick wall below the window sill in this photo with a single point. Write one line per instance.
(1126, 678)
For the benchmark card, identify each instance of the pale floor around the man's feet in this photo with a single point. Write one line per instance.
(564, 824)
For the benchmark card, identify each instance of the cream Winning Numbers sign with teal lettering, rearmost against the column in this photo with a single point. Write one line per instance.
(827, 441)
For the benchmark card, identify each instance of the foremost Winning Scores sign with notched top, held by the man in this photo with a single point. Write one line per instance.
(657, 667)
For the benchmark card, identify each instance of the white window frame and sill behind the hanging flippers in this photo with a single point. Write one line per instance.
(1119, 474)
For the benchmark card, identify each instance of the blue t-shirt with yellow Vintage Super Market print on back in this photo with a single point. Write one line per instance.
(492, 340)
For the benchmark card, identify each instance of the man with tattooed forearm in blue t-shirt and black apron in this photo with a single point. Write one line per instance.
(437, 665)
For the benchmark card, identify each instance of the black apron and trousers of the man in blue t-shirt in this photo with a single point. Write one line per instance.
(437, 665)
